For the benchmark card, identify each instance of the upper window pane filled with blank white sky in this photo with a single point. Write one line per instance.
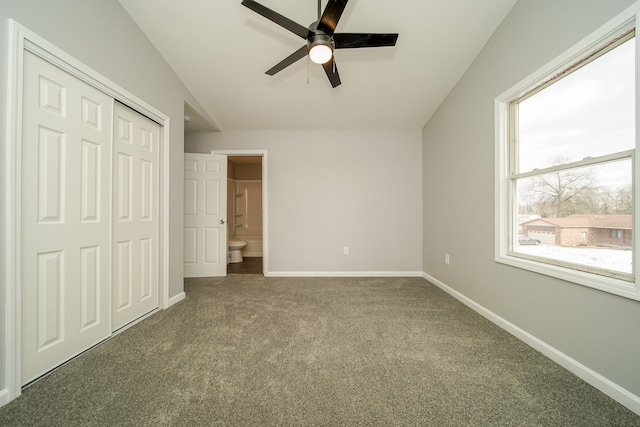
(589, 113)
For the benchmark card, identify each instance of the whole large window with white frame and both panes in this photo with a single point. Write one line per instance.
(566, 146)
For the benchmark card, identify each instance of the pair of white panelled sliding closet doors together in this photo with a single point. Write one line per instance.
(89, 216)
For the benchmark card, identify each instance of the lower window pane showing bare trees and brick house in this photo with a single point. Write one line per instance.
(581, 216)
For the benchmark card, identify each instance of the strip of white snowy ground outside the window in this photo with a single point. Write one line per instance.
(612, 259)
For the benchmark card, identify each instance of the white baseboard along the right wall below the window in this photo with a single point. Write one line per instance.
(608, 387)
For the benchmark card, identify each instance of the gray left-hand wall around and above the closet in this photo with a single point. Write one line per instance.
(100, 34)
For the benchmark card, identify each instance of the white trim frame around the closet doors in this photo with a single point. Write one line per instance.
(21, 39)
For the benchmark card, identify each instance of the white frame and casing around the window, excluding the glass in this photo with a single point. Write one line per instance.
(506, 215)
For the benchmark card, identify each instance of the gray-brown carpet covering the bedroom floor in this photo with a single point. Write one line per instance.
(248, 350)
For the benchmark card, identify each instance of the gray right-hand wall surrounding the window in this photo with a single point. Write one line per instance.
(593, 327)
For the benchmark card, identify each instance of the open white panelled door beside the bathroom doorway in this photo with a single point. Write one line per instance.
(205, 215)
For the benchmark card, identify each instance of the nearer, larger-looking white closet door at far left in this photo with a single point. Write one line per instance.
(65, 222)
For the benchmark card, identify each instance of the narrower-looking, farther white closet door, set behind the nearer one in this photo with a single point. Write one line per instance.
(135, 215)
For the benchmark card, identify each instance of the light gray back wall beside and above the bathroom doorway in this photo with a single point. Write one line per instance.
(330, 189)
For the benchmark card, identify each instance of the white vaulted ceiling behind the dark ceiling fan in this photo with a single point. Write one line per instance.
(221, 50)
